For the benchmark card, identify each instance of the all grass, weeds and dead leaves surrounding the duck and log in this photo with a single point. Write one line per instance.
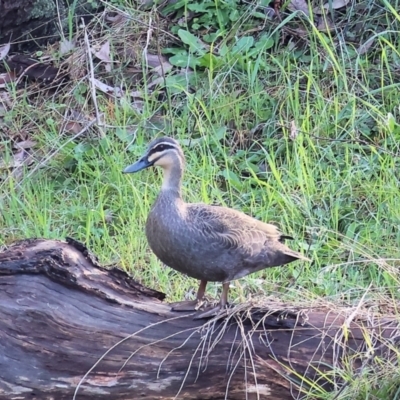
(287, 111)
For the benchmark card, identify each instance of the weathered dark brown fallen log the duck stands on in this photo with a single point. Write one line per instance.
(68, 326)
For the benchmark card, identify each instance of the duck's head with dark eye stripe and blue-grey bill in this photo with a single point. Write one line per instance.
(164, 152)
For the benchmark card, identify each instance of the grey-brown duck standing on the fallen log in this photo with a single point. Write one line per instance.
(207, 242)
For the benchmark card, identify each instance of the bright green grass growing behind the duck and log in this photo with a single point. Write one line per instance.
(334, 187)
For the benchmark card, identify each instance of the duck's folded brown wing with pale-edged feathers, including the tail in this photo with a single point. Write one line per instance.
(242, 244)
